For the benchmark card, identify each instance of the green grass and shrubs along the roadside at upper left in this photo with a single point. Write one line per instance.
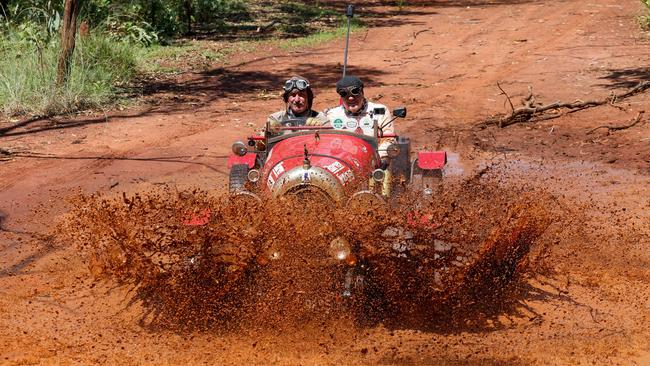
(118, 41)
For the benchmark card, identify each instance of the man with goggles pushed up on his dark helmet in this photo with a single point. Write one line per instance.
(298, 98)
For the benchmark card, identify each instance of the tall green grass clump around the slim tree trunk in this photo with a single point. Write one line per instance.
(28, 73)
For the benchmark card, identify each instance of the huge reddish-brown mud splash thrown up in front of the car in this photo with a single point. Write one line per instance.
(449, 261)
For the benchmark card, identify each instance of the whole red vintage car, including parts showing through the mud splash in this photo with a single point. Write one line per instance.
(340, 167)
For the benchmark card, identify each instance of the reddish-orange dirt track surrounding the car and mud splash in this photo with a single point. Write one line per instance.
(443, 60)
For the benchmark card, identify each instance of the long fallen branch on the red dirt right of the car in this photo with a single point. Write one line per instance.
(530, 112)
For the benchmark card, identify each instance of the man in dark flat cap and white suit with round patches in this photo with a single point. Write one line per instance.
(356, 113)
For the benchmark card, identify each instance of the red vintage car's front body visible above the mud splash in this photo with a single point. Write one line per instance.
(335, 163)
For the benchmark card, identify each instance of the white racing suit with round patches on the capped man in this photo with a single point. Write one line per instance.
(364, 122)
